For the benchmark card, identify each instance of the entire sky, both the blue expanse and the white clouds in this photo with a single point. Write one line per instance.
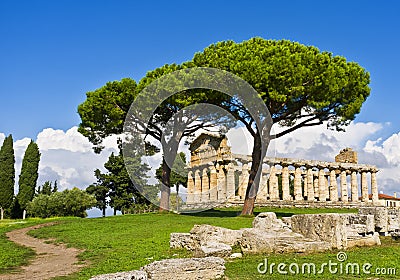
(53, 52)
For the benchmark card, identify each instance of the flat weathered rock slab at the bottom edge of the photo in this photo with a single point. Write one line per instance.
(186, 269)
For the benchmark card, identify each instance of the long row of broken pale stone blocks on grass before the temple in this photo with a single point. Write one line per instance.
(300, 233)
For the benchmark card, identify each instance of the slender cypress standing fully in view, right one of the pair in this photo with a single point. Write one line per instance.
(29, 175)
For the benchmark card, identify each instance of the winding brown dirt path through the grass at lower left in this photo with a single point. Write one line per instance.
(51, 260)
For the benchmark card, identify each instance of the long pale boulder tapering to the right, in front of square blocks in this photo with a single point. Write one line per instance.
(257, 241)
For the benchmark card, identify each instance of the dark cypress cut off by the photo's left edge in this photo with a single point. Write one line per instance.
(7, 173)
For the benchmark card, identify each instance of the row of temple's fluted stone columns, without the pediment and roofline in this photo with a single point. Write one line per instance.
(217, 184)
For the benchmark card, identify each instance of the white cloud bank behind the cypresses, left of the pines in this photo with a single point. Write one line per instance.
(67, 157)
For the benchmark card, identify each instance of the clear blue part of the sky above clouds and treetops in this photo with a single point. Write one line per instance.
(53, 52)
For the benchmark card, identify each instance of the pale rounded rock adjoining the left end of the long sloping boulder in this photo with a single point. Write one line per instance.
(203, 234)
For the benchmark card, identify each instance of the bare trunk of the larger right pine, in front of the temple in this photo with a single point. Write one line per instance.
(254, 178)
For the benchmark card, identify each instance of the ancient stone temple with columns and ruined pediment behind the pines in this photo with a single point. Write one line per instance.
(217, 176)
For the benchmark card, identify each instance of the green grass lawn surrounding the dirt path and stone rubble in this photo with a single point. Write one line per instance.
(128, 242)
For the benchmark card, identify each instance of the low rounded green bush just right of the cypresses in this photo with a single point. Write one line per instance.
(73, 202)
